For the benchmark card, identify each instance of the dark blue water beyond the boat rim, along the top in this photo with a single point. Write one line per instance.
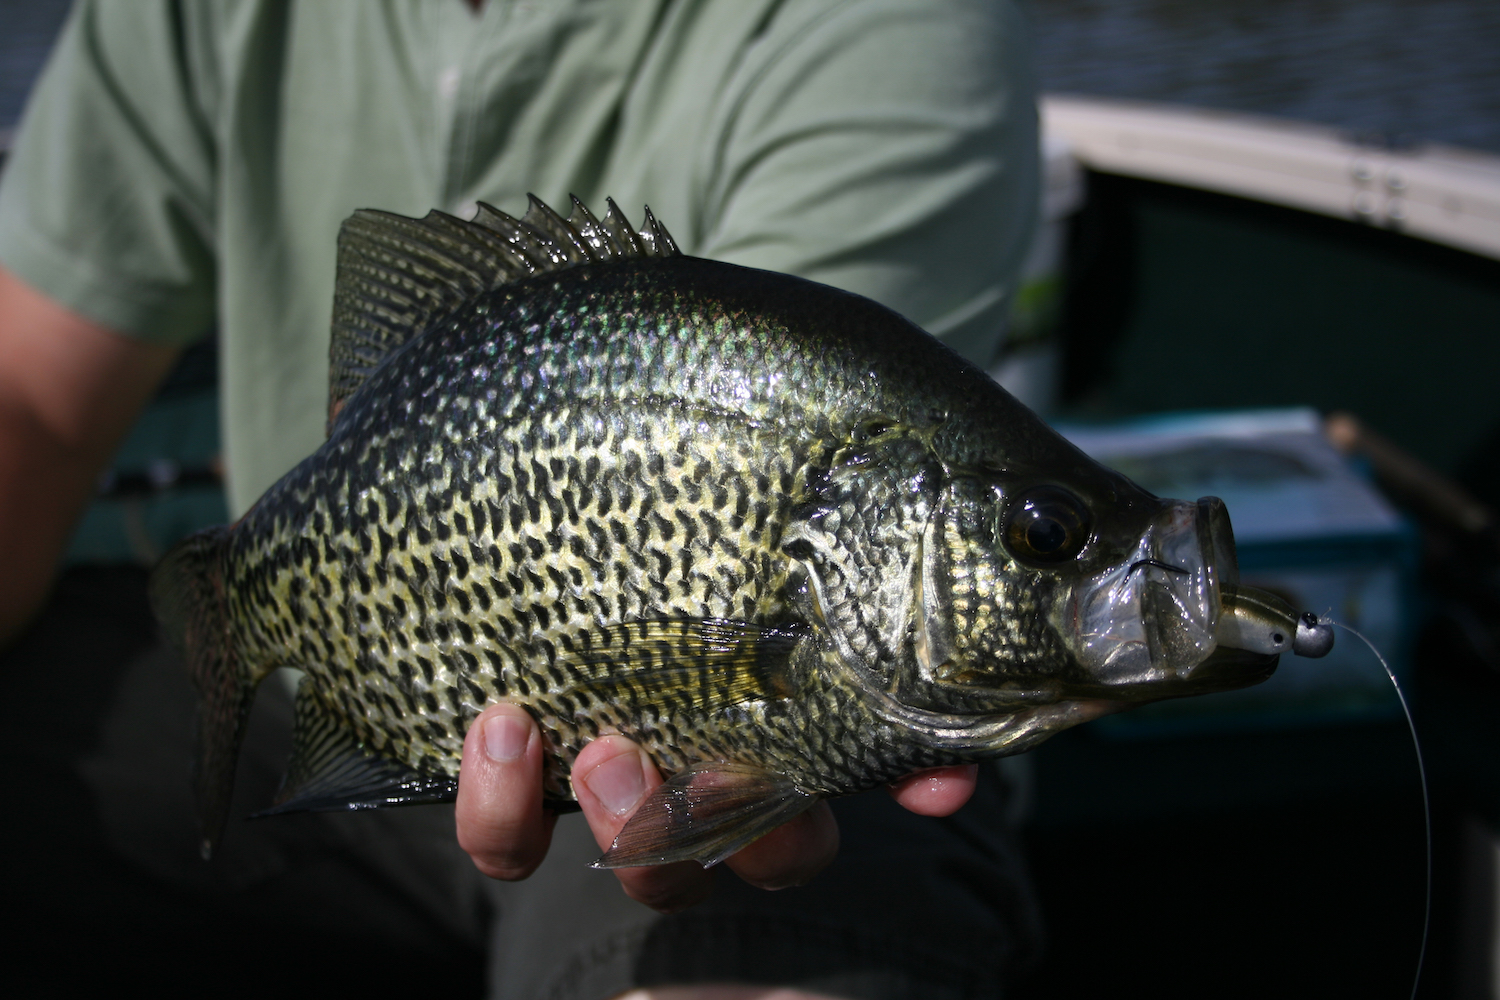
(1411, 70)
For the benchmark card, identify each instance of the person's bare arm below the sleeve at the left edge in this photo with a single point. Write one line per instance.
(70, 391)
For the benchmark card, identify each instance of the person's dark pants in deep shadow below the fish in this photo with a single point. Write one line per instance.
(104, 863)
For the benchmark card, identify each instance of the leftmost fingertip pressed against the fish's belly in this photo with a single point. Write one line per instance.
(500, 818)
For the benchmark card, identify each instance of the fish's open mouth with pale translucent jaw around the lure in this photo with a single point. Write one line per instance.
(1160, 623)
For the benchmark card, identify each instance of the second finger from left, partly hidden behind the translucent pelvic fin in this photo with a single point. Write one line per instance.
(613, 777)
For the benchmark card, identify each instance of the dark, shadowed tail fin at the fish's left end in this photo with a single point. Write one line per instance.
(191, 603)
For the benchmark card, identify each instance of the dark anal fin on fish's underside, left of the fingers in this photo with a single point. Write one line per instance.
(331, 770)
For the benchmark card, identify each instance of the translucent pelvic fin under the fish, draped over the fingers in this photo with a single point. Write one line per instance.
(706, 813)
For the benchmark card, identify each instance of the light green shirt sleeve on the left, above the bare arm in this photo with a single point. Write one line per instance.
(107, 202)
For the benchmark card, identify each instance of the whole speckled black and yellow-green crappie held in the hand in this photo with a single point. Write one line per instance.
(772, 531)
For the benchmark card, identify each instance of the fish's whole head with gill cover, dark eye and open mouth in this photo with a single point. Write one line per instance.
(973, 588)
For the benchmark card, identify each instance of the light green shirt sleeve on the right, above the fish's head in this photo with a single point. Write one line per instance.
(889, 148)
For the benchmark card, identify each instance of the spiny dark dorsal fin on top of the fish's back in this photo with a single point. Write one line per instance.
(397, 274)
